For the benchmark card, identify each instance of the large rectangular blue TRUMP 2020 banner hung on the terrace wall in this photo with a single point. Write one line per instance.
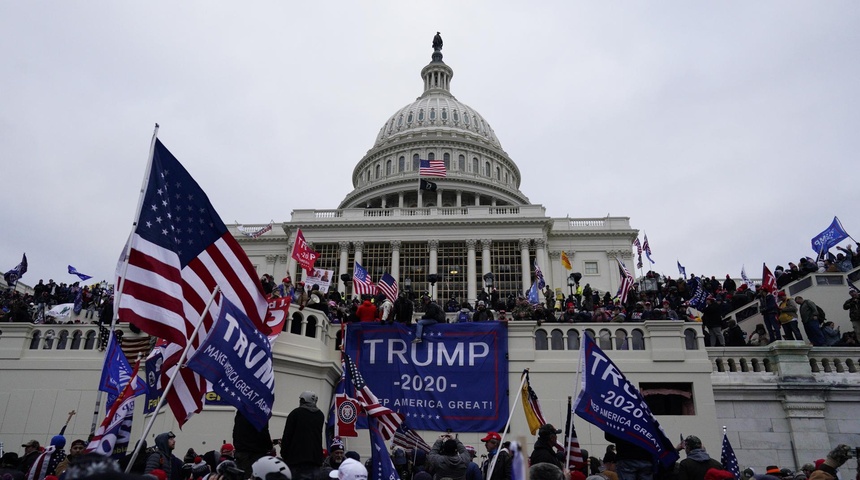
(457, 378)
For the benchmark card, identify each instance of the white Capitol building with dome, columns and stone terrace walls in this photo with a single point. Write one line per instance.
(785, 404)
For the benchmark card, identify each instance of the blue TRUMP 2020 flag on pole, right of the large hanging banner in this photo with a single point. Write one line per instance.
(609, 401)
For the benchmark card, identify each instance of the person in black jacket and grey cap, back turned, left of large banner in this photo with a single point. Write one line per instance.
(301, 443)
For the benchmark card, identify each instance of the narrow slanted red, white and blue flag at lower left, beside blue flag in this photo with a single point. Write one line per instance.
(113, 436)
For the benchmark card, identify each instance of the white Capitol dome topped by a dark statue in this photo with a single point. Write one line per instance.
(436, 126)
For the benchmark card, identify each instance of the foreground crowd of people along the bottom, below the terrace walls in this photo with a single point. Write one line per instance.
(254, 455)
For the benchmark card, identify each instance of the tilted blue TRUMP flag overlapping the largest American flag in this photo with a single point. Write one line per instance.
(237, 359)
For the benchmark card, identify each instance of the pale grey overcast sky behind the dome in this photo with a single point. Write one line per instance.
(724, 130)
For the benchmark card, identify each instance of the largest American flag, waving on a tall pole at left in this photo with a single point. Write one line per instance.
(179, 251)
